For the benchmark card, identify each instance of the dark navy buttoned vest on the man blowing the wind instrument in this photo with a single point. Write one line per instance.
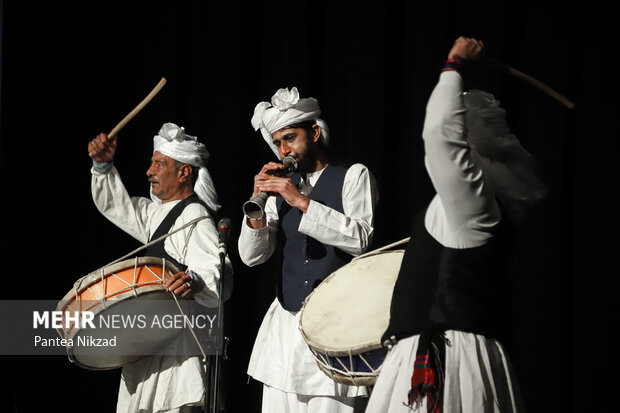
(306, 261)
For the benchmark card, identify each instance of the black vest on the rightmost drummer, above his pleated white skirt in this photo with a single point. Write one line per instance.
(445, 288)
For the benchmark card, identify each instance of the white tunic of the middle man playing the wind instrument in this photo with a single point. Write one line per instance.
(281, 358)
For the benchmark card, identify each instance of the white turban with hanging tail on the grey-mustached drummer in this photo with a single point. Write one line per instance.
(172, 141)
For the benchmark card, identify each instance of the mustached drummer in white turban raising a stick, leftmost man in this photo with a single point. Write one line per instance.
(181, 191)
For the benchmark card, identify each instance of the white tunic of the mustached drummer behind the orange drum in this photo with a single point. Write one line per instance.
(162, 383)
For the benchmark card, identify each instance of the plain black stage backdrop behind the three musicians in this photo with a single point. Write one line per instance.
(72, 71)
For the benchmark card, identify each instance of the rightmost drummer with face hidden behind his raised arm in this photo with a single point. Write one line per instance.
(447, 310)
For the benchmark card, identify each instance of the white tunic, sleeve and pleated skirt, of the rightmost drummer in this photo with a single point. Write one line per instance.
(463, 214)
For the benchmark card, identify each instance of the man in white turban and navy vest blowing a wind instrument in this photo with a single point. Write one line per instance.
(325, 211)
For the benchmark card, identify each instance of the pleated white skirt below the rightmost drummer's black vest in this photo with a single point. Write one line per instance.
(478, 378)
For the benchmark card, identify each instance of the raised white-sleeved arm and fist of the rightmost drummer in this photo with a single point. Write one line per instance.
(466, 198)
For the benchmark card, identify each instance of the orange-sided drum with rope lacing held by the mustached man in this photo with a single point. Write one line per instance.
(114, 295)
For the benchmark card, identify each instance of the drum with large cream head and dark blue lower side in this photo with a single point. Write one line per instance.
(343, 319)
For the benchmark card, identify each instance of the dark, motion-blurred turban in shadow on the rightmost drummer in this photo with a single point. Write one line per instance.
(512, 169)
